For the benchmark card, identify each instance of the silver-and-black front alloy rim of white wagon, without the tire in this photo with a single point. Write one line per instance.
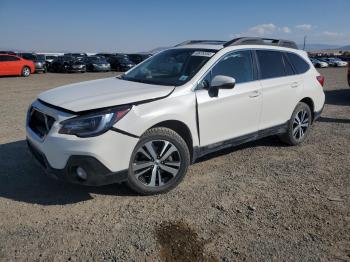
(156, 163)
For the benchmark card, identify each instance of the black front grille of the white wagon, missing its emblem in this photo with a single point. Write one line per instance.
(39, 122)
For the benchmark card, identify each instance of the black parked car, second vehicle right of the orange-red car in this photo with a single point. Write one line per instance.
(67, 64)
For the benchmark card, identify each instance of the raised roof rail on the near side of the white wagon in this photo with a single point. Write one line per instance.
(261, 41)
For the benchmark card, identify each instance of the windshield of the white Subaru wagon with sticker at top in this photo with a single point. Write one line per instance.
(172, 67)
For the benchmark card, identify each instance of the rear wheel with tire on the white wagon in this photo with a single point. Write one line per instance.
(298, 125)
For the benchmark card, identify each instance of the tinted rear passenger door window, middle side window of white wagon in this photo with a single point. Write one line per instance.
(271, 64)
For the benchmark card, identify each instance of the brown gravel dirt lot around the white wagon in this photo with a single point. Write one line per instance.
(259, 202)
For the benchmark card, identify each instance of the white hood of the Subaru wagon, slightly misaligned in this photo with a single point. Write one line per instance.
(102, 93)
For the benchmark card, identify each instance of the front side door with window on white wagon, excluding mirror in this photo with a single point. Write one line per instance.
(234, 112)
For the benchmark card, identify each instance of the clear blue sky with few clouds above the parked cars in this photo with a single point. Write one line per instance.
(129, 26)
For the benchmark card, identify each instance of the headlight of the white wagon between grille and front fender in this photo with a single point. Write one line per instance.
(92, 124)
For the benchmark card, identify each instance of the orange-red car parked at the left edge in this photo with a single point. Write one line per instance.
(15, 65)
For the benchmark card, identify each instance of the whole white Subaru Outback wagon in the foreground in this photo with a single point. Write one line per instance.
(146, 126)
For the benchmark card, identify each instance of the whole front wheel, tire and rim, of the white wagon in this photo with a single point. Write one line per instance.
(159, 162)
